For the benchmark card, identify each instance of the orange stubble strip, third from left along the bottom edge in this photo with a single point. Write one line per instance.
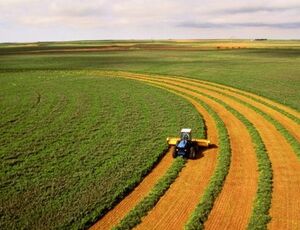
(241, 180)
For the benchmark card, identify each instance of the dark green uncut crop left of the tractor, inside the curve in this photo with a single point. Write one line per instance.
(72, 145)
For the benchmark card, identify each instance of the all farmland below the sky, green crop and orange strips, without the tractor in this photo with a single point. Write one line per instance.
(83, 128)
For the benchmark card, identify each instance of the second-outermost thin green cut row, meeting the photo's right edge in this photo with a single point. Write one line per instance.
(287, 135)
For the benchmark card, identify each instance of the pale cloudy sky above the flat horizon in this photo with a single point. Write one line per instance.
(56, 20)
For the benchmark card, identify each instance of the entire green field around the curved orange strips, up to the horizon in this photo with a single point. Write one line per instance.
(73, 143)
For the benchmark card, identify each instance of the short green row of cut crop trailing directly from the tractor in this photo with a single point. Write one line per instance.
(135, 215)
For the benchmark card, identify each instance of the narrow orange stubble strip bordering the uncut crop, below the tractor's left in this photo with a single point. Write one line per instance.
(116, 214)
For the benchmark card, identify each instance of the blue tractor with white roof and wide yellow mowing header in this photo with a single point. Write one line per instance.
(185, 146)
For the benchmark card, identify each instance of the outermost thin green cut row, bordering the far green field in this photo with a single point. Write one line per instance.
(283, 112)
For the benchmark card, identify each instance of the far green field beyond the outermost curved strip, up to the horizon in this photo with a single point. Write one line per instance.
(271, 69)
